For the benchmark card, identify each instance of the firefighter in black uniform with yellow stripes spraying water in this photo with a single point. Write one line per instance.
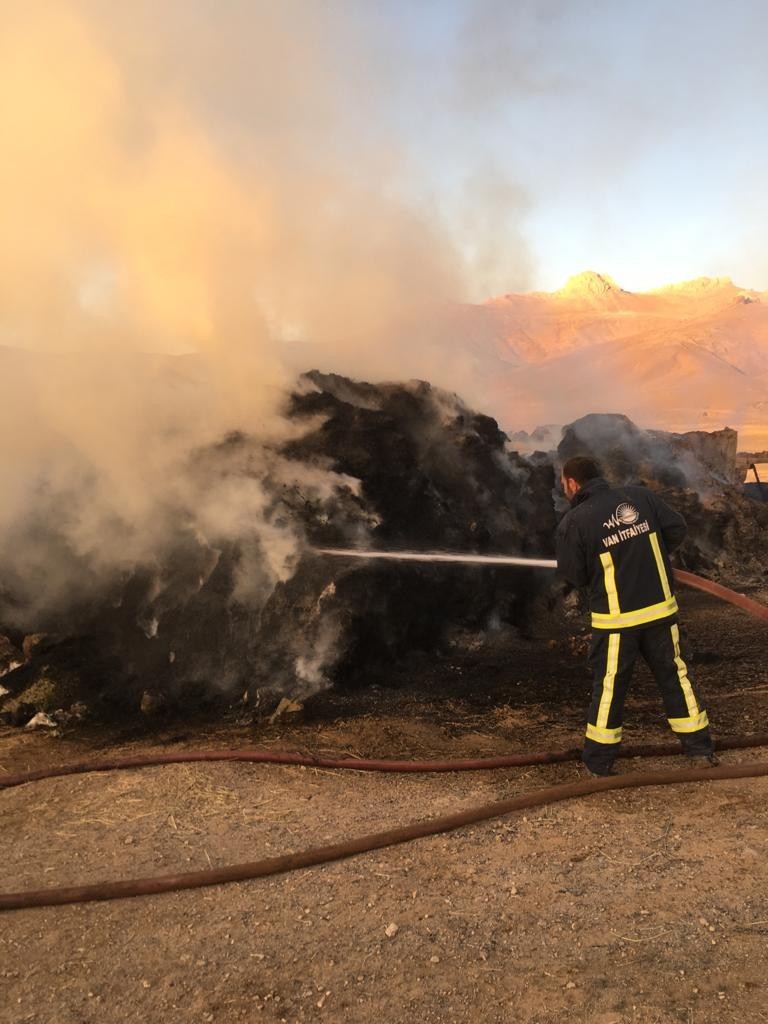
(616, 543)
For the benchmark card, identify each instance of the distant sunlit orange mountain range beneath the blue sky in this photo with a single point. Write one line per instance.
(687, 357)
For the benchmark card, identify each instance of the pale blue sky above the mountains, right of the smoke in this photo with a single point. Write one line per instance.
(631, 136)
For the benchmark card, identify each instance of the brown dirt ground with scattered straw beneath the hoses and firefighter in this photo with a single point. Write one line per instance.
(646, 906)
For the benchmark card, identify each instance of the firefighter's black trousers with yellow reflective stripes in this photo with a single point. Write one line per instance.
(613, 661)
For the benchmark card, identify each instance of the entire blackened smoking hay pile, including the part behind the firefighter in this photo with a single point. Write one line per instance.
(389, 467)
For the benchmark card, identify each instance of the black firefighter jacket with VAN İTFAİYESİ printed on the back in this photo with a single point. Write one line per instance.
(616, 542)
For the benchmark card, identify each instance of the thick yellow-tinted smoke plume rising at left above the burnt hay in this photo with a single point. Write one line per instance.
(198, 206)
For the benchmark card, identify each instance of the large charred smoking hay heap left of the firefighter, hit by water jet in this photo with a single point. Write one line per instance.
(396, 466)
